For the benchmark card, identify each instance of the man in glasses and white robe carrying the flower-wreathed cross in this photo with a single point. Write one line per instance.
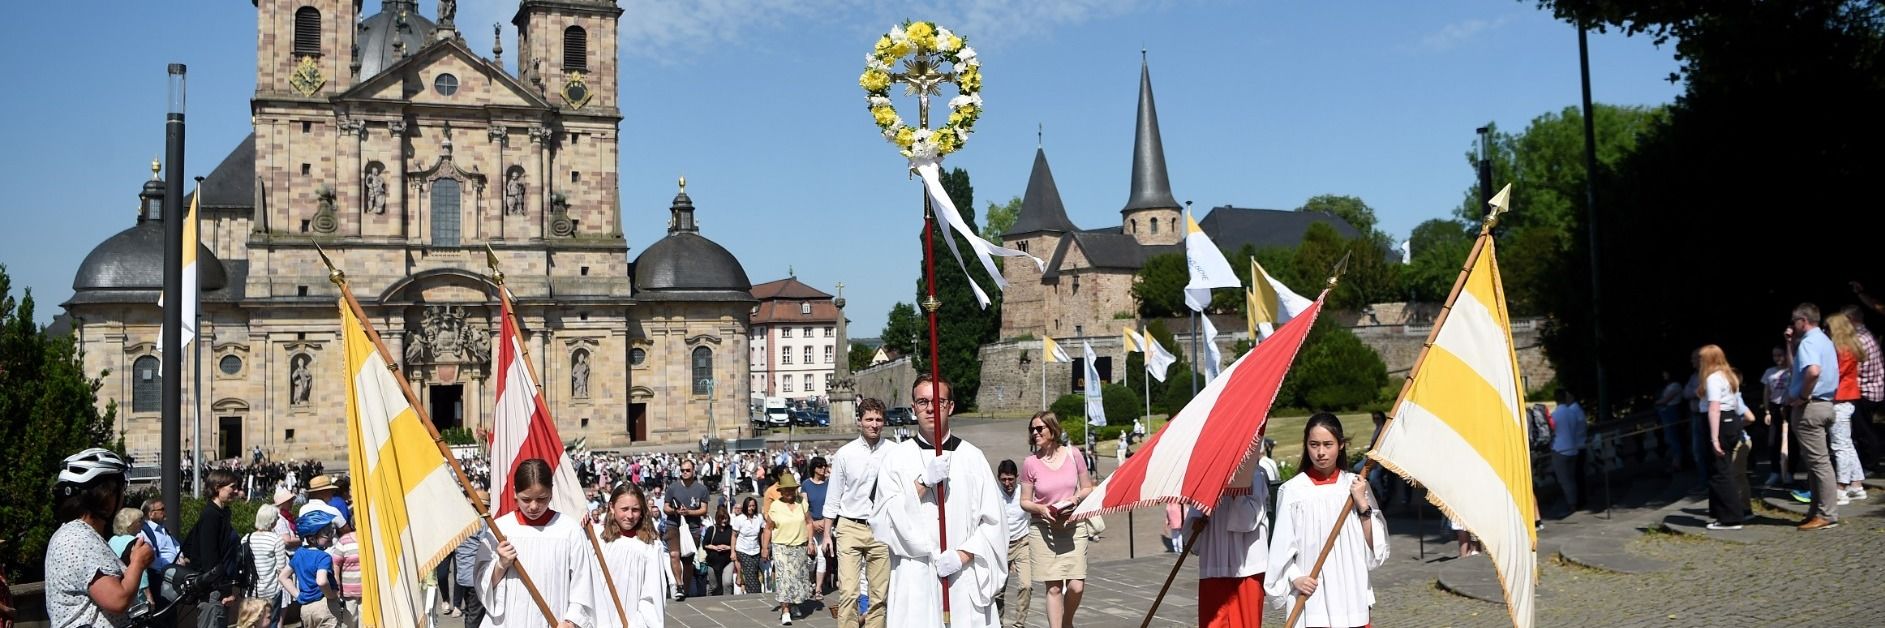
(975, 557)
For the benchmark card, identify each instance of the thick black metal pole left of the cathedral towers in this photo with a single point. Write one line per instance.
(172, 342)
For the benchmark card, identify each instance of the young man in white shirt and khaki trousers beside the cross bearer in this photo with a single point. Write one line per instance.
(847, 506)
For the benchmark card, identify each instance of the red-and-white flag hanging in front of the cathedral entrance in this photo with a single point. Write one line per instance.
(523, 429)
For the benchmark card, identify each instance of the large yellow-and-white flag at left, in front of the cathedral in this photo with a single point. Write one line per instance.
(408, 508)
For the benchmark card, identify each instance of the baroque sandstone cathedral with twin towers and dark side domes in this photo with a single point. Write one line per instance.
(404, 156)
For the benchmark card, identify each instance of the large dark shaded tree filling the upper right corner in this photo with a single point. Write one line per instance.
(1778, 127)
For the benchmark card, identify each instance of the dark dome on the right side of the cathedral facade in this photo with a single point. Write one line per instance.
(689, 267)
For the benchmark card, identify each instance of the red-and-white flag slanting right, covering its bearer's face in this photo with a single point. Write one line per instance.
(1194, 457)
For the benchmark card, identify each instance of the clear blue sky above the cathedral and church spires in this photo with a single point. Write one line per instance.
(1262, 105)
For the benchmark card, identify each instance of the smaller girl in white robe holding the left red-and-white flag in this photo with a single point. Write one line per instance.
(634, 565)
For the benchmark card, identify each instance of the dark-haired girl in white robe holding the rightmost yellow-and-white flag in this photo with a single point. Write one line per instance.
(1307, 508)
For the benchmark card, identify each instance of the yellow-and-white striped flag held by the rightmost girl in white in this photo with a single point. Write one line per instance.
(1460, 431)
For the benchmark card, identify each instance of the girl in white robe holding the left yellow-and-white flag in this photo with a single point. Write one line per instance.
(546, 544)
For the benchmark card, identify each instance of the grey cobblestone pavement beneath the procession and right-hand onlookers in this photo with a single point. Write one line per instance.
(1763, 576)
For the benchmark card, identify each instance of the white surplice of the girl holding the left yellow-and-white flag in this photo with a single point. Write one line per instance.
(559, 561)
